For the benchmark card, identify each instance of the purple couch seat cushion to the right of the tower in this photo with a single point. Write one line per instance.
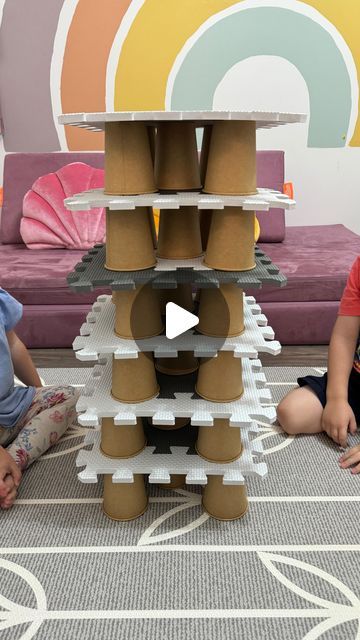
(316, 261)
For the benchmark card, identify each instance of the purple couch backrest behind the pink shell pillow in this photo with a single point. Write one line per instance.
(20, 172)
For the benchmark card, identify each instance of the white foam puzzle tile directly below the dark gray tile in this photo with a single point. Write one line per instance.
(98, 337)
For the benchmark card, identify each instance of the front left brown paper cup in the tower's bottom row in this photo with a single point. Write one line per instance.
(124, 501)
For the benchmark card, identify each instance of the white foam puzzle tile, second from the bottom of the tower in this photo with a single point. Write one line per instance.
(177, 399)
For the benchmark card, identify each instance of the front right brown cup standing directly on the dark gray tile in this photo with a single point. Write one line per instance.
(231, 244)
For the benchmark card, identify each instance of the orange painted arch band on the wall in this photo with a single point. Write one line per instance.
(83, 77)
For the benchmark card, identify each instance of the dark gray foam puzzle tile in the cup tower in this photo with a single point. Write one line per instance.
(91, 273)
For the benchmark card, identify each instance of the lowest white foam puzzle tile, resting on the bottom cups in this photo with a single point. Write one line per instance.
(160, 467)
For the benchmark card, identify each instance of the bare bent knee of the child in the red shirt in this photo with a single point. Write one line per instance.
(300, 412)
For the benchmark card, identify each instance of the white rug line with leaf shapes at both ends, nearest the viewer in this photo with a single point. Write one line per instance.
(333, 614)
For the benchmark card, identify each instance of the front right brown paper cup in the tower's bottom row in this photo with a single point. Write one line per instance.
(224, 502)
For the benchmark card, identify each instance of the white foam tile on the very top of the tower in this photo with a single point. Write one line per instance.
(96, 121)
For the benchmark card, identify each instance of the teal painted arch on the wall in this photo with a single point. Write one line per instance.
(276, 32)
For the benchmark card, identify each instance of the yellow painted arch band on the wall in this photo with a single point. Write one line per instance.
(160, 30)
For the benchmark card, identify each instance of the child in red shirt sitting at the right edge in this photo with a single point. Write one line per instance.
(331, 403)
